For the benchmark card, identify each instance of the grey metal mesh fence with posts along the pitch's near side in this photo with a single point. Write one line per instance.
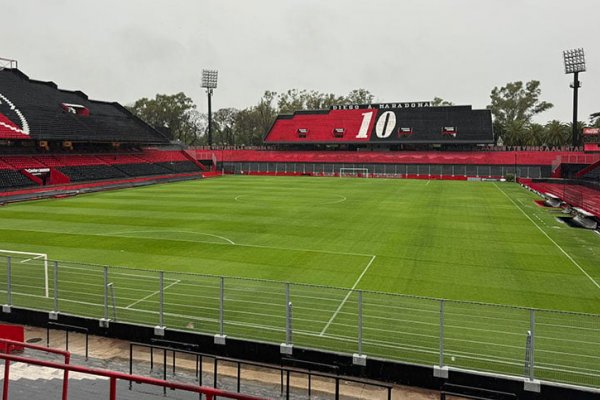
(547, 345)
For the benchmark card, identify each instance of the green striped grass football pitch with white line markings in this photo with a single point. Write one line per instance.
(461, 241)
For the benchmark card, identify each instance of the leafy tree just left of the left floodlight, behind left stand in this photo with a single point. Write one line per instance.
(171, 112)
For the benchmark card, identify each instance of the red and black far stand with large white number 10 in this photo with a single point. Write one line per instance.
(391, 125)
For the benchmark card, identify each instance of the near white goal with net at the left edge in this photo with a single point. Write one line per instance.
(25, 270)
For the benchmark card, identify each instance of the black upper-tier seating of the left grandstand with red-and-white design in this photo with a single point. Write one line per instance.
(48, 113)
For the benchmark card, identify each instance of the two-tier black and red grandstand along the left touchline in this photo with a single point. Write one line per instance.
(50, 136)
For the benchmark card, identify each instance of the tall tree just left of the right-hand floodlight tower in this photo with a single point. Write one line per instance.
(515, 102)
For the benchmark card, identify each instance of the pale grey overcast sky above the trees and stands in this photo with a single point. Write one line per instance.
(400, 50)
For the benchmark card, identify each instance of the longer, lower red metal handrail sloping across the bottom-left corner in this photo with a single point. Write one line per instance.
(113, 376)
